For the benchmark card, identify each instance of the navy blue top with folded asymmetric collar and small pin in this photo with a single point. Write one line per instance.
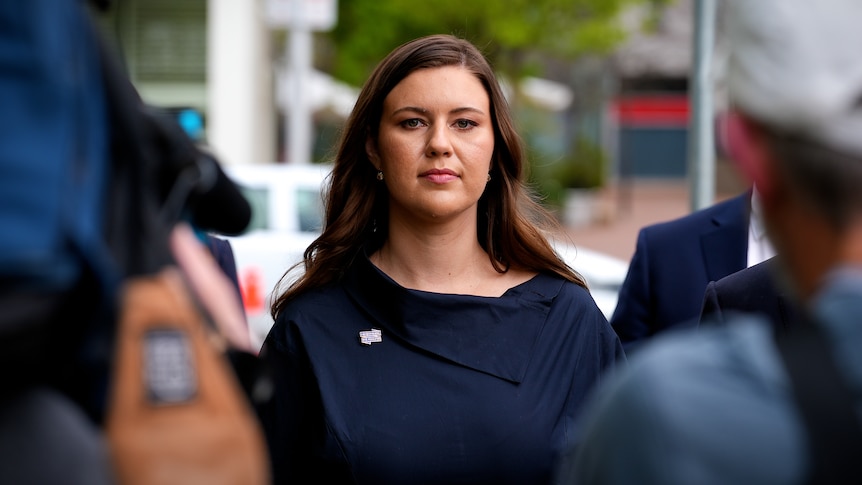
(459, 389)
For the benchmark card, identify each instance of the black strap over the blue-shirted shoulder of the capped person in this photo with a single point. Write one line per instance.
(827, 406)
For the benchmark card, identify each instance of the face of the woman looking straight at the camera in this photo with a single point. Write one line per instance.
(435, 143)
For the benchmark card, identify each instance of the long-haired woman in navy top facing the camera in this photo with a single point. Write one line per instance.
(435, 336)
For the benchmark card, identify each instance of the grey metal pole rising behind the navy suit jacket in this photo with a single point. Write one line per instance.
(701, 148)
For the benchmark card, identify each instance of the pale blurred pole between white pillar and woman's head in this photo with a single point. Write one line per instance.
(299, 113)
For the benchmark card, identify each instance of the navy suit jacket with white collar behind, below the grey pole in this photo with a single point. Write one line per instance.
(672, 264)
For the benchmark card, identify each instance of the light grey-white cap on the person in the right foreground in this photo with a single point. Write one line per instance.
(796, 65)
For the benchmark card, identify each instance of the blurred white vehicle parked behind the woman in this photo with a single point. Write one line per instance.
(287, 216)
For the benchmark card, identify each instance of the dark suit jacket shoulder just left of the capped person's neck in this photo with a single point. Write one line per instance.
(751, 290)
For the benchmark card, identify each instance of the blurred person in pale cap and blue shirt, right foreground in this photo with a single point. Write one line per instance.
(730, 404)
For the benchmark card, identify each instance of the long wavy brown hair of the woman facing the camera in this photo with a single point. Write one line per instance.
(512, 225)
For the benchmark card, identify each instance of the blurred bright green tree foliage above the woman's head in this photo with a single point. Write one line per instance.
(516, 35)
